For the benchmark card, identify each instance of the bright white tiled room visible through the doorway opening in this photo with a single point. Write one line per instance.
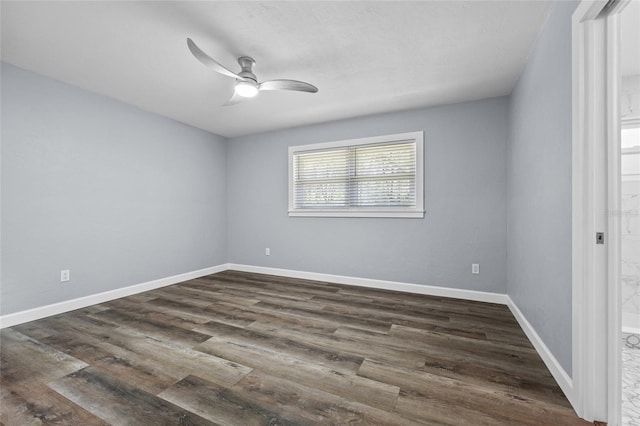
(629, 107)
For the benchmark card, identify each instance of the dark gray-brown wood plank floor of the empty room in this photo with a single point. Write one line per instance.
(247, 349)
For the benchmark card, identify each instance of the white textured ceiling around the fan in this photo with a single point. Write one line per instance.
(365, 57)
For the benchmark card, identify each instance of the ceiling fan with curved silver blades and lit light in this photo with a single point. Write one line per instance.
(247, 85)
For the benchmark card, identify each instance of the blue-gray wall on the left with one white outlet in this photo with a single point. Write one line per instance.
(117, 195)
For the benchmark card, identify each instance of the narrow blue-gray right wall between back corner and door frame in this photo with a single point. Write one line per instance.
(539, 186)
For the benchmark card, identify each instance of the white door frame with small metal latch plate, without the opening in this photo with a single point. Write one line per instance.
(596, 346)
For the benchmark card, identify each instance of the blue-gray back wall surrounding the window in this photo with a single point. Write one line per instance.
(465, 190)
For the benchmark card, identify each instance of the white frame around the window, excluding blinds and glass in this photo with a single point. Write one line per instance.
(388, 212)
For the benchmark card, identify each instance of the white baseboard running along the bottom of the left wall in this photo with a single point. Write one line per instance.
(16, 318)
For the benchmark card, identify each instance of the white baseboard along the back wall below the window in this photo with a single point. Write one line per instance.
(480, 296)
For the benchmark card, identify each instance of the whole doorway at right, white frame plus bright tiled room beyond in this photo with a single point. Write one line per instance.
(606, 172)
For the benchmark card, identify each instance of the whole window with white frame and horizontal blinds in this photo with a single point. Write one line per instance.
(371, 177)
